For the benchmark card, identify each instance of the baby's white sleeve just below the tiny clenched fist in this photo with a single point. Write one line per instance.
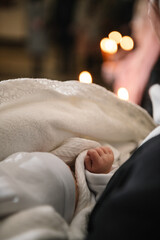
(98, 182)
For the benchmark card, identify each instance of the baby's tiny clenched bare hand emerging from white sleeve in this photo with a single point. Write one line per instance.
(99, 160)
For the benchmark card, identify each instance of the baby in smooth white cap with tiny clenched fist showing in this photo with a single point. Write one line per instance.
(41, 178)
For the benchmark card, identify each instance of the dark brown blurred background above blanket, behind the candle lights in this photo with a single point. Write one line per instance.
(57, 39)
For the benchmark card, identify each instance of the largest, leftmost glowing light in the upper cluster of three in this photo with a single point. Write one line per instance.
(108, 46)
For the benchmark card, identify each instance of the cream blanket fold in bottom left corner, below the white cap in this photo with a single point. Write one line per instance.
(34, 224)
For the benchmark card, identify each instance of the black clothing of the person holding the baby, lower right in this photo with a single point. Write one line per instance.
(129, 208)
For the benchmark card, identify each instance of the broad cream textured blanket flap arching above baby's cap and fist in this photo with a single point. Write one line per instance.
(39, 114)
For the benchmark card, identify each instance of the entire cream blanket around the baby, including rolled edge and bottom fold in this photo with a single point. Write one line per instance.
(65, 118)
